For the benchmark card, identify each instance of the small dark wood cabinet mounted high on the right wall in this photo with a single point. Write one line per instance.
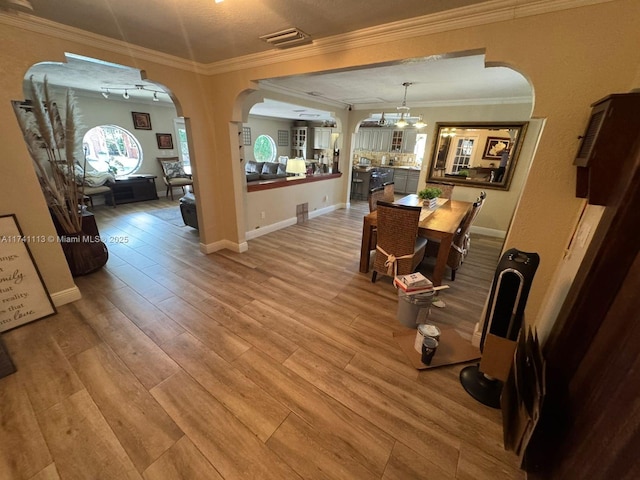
(604, 152)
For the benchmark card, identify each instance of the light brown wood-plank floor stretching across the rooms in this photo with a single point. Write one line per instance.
(278, 363)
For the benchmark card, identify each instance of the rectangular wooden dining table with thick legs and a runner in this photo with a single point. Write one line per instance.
(439, 223)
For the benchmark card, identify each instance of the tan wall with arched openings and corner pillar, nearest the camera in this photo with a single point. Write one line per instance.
(571, 58)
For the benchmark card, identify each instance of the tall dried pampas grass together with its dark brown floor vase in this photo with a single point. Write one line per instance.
(54, 145)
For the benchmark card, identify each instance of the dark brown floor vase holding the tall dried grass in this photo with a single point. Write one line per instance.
(84, 253)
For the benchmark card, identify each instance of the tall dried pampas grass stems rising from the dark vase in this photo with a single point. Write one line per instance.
(53, 145)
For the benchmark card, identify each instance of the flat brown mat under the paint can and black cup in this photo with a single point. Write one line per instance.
(452, 348)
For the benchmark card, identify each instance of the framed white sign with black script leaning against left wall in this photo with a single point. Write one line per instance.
(23, 297)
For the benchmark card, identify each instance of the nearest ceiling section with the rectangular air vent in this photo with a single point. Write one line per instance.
(204, 31)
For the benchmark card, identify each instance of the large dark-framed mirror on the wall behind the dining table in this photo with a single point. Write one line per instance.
(476, 154)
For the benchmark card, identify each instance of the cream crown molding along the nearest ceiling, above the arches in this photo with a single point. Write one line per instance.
(463, 17)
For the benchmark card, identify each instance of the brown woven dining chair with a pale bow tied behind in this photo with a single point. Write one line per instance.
(399, 250)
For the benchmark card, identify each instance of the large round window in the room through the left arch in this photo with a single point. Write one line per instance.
(109, 148)
